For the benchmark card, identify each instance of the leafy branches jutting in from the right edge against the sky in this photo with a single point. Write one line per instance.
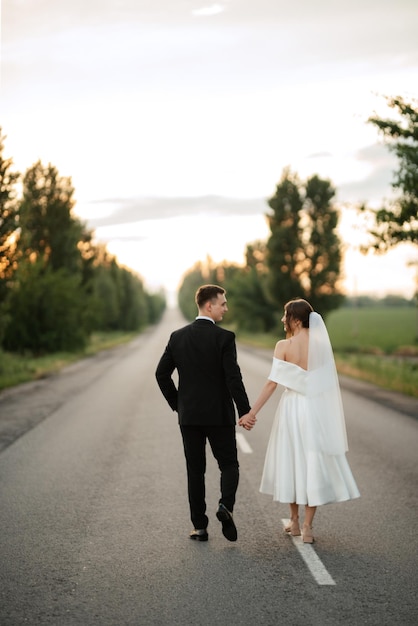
(397, 222)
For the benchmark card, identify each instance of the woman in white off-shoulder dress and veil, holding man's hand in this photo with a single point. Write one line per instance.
(305, 461)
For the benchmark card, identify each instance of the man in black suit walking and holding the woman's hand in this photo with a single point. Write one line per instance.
(210, 383)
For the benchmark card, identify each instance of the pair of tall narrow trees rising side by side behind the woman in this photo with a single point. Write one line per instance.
(304, 250)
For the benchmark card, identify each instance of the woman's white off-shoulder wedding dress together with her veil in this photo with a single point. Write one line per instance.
(305, 459)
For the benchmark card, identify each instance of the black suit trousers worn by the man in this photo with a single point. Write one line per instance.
(224, 448)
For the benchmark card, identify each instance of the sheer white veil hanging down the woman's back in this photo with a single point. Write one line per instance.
(323, 391)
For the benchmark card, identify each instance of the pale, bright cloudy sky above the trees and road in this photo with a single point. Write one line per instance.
(175, 118)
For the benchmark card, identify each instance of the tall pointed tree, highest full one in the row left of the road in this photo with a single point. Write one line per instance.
(50, 305)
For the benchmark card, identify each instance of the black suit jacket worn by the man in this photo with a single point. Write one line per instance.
(209, 377)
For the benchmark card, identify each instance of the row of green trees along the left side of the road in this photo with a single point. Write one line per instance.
(57, 285)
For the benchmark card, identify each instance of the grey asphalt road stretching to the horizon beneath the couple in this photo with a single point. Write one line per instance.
(94, 516)
